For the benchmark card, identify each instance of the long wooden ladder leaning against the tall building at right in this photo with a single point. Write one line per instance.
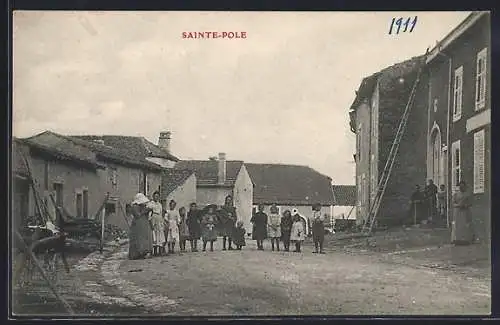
(382, 185)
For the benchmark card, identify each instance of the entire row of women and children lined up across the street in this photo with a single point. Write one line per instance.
(155, 231)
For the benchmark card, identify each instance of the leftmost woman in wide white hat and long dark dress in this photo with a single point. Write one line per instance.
(141, 235)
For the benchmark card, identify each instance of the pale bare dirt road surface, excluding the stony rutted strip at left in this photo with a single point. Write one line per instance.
(252, 282)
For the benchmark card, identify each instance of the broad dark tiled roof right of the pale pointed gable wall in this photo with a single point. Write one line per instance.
(289, 185)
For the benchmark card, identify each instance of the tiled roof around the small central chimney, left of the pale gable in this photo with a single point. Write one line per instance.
(207, 171)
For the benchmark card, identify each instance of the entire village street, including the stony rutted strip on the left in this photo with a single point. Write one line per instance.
(435, 280)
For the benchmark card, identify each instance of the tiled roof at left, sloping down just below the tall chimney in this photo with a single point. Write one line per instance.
(136, 146)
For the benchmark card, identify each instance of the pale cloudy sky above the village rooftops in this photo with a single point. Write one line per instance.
(281, 95)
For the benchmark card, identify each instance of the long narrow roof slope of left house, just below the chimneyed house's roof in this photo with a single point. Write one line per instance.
(90, 149)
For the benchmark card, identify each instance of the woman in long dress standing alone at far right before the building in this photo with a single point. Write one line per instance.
(461, 228)
